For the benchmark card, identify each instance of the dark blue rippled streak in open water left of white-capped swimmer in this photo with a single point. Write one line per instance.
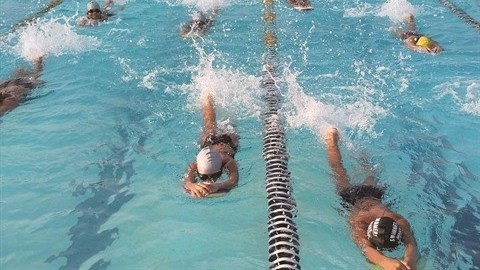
(109, 195)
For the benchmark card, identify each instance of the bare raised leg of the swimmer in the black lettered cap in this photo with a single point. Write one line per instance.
(335, 159)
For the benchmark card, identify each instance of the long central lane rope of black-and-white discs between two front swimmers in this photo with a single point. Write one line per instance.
(283, 243)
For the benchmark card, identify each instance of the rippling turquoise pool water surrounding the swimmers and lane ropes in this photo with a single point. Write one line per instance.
(91, 164)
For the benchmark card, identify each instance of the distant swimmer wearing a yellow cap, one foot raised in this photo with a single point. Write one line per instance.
(416, 41)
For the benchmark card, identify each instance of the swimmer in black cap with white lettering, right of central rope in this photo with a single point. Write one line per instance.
(374, 226)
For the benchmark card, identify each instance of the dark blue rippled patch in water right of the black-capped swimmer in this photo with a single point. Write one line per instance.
(451, 209)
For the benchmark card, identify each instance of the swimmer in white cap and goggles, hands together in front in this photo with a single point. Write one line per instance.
(217, 155)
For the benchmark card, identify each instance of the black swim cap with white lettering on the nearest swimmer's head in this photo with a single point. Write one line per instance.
(384, 232)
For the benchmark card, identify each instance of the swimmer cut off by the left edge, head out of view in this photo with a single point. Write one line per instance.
(15, 90)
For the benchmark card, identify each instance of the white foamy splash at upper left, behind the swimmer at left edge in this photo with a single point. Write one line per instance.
(52, 38)
